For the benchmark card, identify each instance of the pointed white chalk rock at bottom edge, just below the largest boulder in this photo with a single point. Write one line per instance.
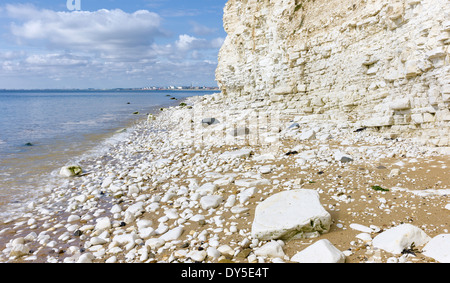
(321, 251)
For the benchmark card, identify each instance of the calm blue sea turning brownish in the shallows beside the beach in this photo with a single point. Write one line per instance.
(41, 131)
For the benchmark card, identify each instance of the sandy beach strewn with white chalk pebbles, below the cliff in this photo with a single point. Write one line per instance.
(146, 186)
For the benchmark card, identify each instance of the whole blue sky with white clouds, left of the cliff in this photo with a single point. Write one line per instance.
(58, 44)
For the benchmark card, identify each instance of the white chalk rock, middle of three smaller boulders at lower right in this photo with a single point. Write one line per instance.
(401, 237)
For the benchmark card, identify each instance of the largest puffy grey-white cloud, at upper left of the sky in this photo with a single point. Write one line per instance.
(108, 31)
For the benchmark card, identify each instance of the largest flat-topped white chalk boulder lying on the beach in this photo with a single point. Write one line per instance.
(290, 214)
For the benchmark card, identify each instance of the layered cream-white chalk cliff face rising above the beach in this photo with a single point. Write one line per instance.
(381, 64)
